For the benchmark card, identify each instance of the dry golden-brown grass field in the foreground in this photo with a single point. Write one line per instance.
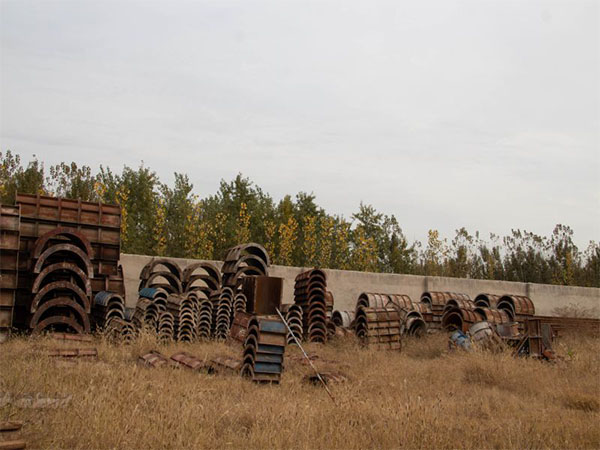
(424, 397)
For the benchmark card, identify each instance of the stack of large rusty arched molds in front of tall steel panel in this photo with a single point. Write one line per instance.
(61, 290)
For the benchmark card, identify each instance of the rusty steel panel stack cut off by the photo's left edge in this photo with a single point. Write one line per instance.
(9, 265)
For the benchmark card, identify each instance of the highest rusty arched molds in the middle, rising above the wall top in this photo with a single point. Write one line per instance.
(244, 260)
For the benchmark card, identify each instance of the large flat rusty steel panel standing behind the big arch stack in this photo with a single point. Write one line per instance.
(98, 223)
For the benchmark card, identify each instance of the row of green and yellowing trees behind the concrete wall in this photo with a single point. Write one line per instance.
(158, 219)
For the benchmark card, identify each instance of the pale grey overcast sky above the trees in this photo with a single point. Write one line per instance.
(483, 114)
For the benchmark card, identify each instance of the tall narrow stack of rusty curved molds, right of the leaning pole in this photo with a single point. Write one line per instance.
(309, 293)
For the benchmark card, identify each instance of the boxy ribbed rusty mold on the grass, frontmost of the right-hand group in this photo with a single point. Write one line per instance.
(378, 327)
